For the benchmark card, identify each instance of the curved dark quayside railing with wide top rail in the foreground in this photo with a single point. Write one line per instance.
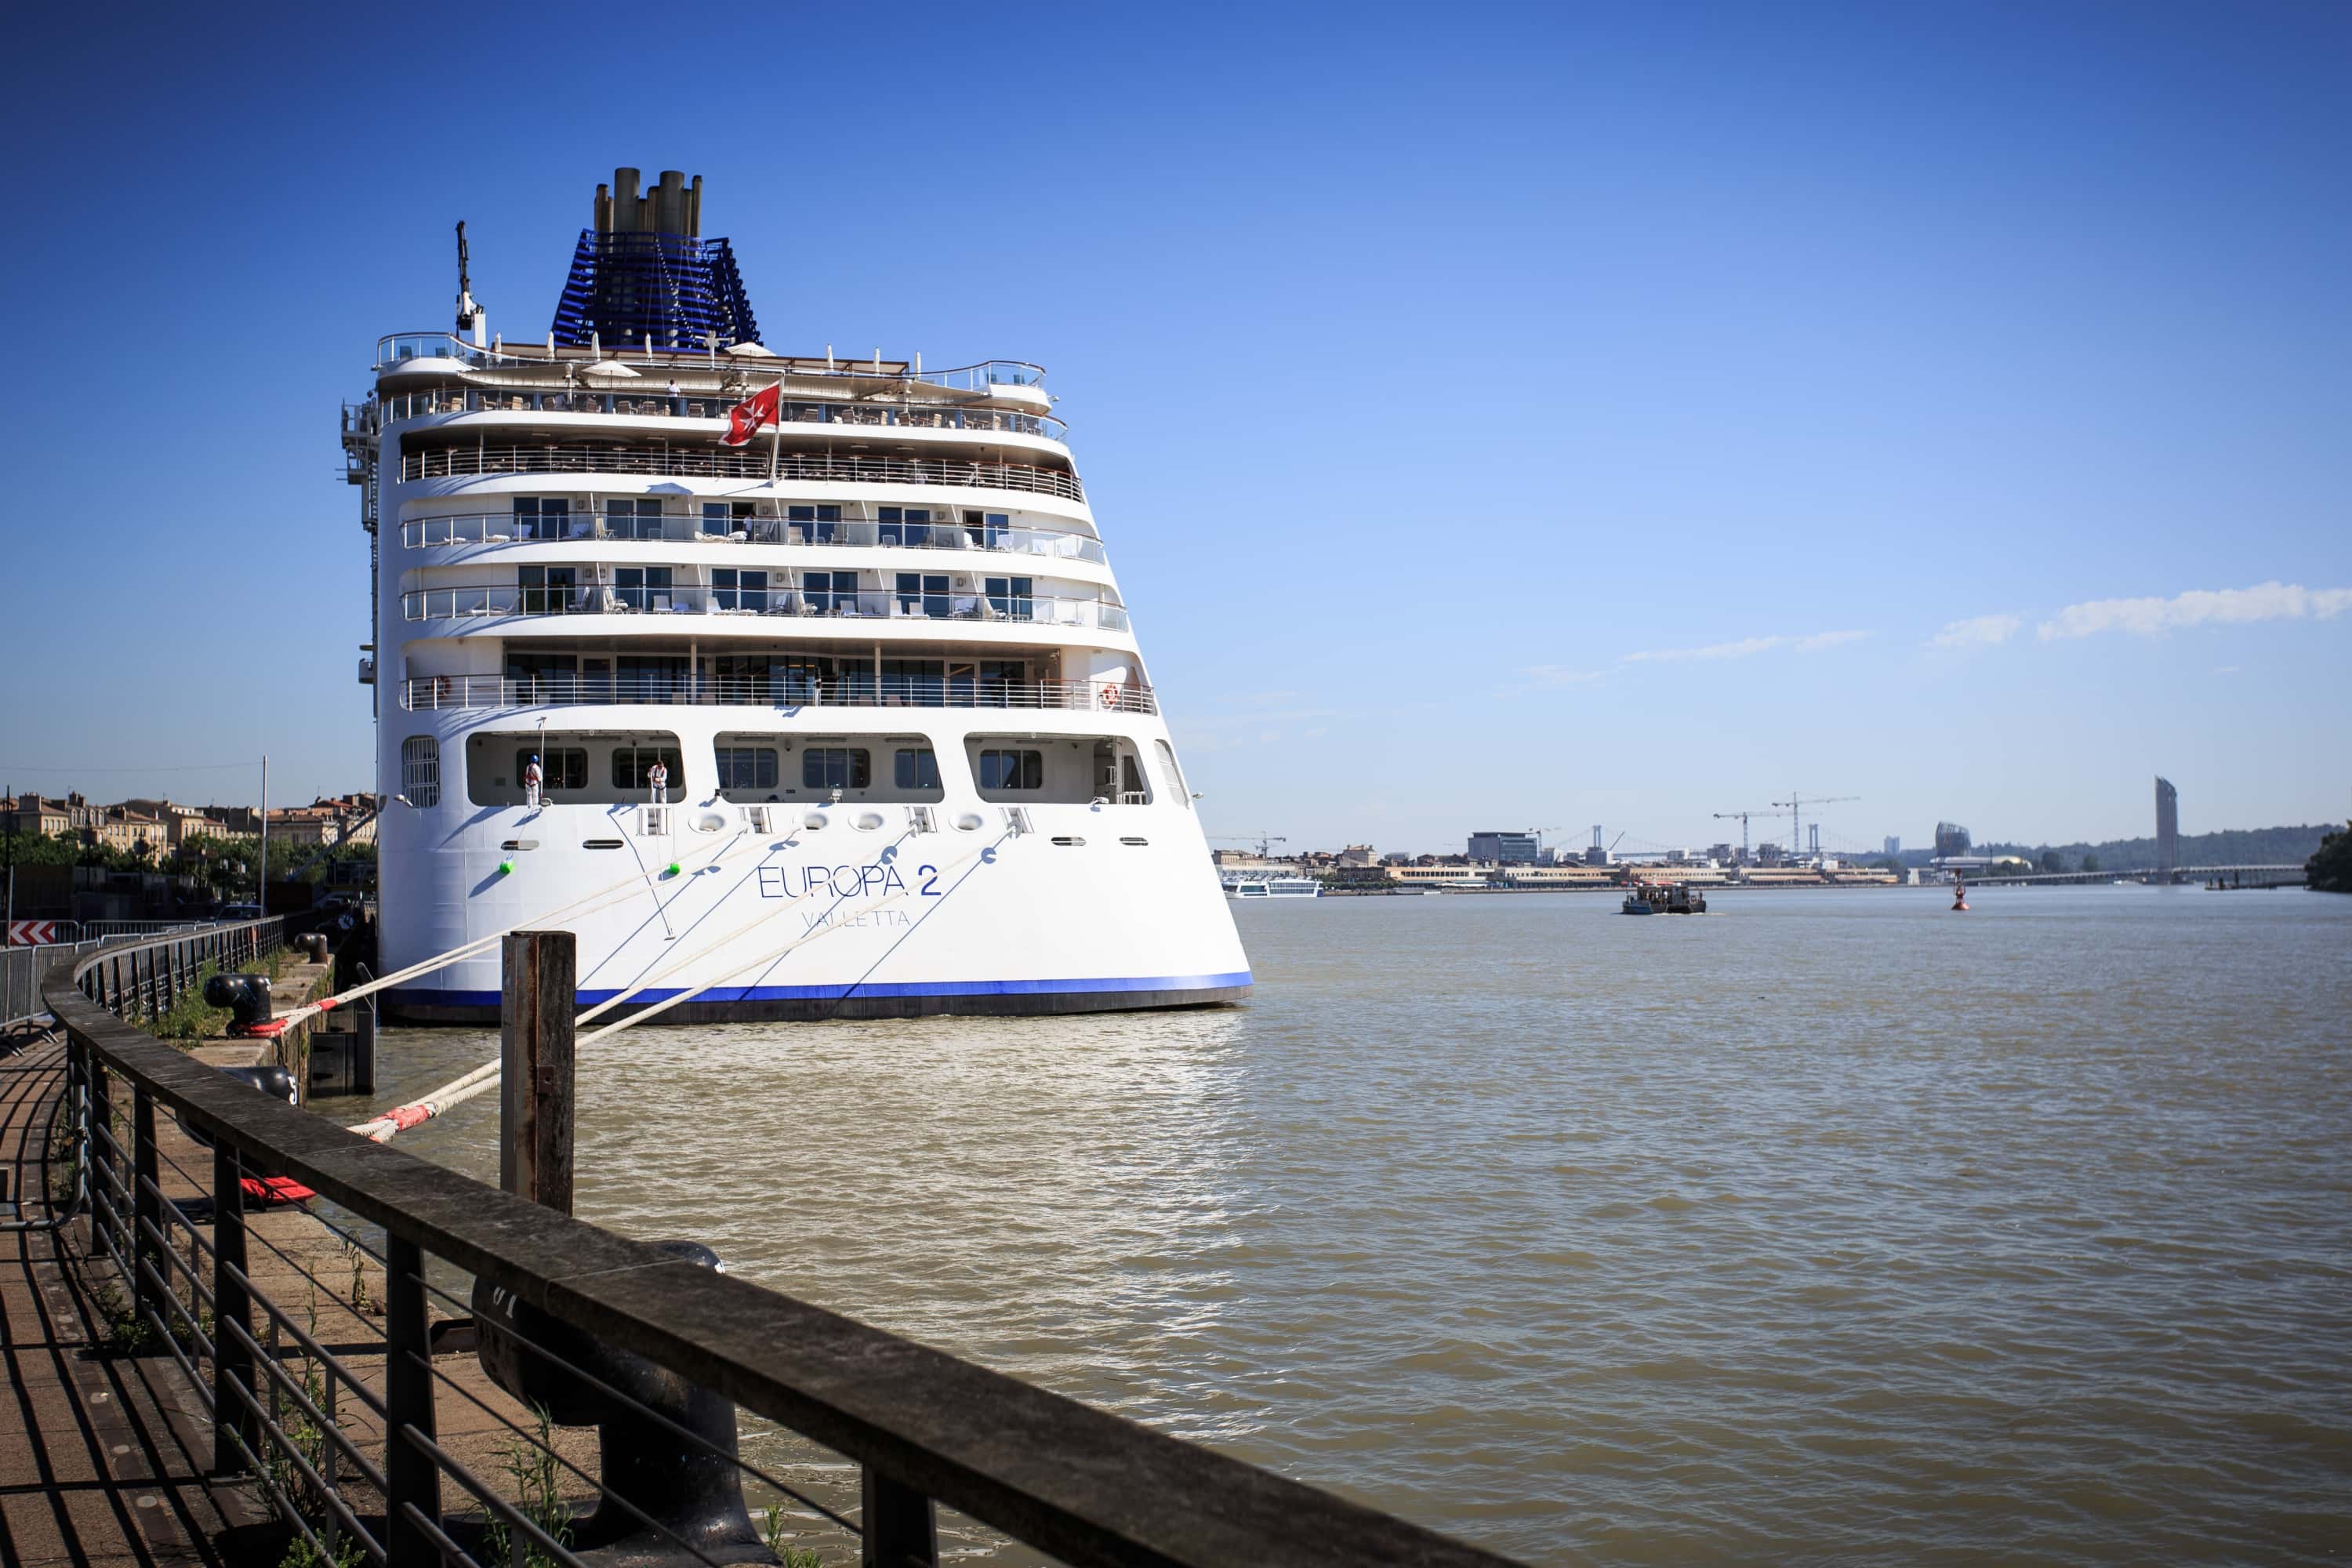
(335, 1409)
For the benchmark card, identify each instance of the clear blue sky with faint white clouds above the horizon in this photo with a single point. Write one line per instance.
(1499, 415)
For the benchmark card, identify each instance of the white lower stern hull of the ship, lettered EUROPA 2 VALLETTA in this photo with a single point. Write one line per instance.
(808, 909)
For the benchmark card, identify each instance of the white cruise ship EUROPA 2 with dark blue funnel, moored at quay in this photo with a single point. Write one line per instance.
(831, 690)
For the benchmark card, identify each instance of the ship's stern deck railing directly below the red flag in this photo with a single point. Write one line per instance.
(733, 464)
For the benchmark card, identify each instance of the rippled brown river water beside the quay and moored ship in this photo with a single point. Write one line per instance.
(1822, 1226)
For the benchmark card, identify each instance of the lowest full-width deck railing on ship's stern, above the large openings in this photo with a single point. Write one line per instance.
(469, 692)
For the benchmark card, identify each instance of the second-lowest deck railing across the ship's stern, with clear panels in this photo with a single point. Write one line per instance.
(486, 601)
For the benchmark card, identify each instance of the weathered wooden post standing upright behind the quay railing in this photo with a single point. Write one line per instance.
(535, 1066)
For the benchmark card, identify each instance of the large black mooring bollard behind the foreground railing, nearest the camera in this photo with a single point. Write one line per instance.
(695, 1492)
